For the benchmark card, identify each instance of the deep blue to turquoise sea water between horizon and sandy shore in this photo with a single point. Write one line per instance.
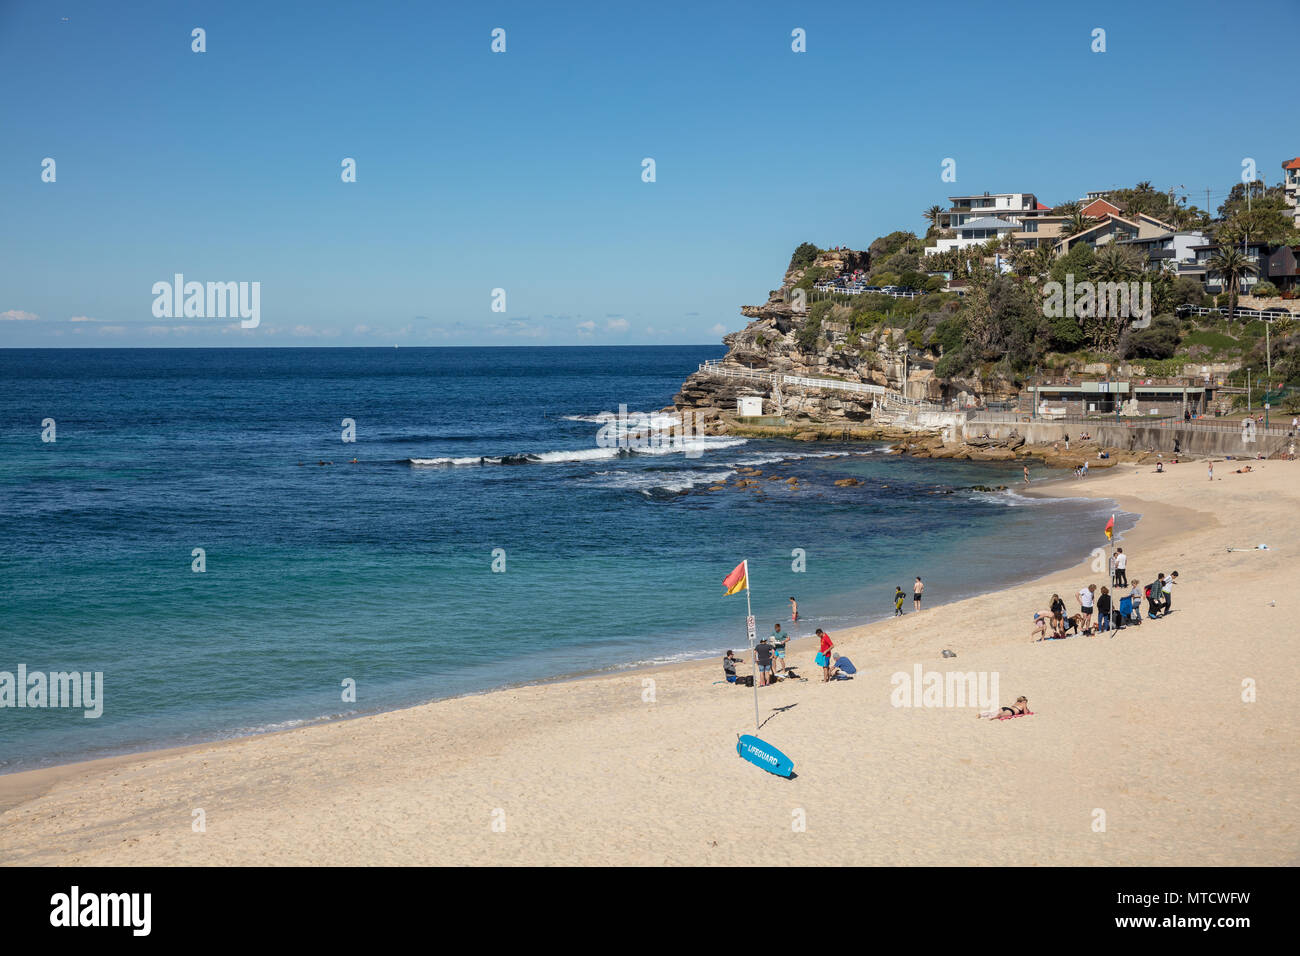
(382, 572)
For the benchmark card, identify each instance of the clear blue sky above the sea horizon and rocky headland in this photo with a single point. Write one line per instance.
(522, 171)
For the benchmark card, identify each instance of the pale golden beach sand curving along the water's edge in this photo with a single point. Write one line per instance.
(1149, 729)
